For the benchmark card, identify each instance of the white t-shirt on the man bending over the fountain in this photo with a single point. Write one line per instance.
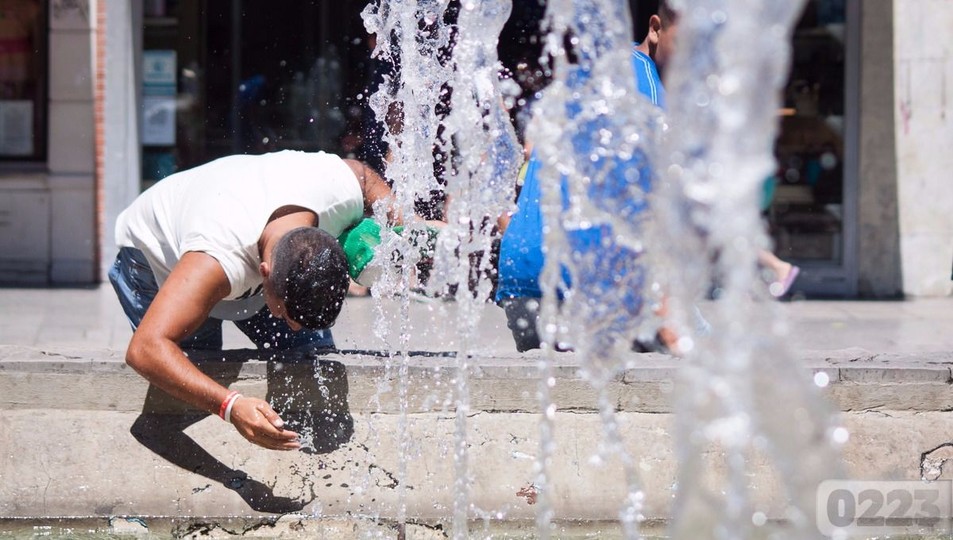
(222, 207)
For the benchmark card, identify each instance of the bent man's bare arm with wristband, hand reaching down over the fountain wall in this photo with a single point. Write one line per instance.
(181, 306)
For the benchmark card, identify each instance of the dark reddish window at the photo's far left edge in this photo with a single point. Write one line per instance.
(23, 82)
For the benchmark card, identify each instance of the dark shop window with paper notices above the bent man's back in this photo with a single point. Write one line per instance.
(250, 77)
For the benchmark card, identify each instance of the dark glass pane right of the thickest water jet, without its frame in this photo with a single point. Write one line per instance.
(804, 200)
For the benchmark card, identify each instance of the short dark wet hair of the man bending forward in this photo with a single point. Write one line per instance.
(309, 272)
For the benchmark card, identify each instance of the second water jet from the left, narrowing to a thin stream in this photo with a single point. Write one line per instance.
(480, 188)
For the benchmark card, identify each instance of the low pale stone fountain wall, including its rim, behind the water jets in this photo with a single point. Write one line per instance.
(83, 437)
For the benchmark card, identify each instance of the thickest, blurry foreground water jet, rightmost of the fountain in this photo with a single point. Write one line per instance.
(743, 390)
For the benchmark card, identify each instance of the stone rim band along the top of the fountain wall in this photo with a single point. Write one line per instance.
(853, 379)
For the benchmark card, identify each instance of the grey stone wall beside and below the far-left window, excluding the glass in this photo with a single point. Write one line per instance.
(48, 210)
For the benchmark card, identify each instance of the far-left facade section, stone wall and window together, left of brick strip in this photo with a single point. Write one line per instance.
(48, 206)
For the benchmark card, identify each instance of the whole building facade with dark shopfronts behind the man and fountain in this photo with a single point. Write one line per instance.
(101, 98)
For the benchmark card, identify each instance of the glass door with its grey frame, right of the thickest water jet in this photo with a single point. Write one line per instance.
(810, 201)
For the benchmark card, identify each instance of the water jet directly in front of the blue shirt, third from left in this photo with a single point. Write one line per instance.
(594, 134)
